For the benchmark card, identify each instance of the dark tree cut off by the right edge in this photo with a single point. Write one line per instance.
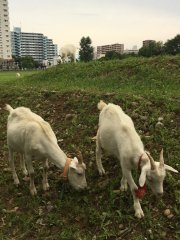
(173, 46)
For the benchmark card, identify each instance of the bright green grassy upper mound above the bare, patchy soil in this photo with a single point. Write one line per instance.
(152, 76)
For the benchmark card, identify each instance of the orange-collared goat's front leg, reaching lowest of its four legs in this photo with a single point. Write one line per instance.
(31, 174)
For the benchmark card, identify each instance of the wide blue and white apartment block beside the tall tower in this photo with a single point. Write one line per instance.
(35, 45)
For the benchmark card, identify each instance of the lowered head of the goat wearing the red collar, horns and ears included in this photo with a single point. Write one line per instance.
(155, 172)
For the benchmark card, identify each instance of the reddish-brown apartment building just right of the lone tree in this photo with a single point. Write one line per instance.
(102, 50)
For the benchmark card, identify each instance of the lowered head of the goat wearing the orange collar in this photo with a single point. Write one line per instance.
(76, 174)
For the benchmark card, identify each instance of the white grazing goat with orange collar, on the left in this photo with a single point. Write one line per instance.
(32, 137)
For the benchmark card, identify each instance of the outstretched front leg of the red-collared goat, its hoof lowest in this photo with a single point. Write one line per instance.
(137, 206)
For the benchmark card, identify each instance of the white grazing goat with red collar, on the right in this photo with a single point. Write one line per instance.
(118, 137)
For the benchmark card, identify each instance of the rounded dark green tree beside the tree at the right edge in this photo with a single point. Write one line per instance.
(152, 49)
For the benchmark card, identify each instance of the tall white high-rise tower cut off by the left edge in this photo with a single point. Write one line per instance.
(5, 36)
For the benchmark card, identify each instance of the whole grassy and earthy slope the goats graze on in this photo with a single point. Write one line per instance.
(146, 89)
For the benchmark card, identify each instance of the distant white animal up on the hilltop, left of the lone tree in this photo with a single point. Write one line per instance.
(66, 51)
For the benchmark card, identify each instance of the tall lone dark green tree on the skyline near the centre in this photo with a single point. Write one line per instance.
(86, 50)
